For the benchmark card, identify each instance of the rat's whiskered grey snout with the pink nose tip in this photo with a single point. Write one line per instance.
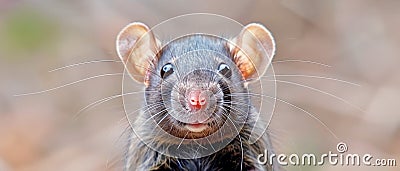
(195, 98)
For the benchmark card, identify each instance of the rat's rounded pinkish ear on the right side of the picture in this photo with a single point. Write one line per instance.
(253, 50)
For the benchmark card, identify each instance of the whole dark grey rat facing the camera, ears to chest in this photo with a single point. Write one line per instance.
(193, 86)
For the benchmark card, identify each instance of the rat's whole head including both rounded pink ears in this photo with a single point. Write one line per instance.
(197, 83)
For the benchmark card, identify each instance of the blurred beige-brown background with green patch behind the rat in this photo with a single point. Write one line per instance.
(357, 41)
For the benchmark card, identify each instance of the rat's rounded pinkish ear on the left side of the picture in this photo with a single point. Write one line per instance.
(137, 47)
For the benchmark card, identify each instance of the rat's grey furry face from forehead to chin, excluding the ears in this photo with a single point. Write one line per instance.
(196, 87)
